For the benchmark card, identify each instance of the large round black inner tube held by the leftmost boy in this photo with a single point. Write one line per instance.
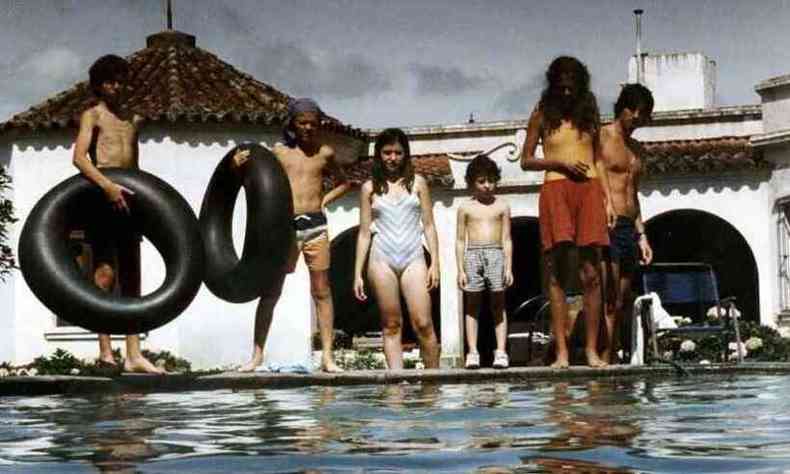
(160, 214)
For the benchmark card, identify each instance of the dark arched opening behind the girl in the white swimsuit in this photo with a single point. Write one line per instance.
(352, 316)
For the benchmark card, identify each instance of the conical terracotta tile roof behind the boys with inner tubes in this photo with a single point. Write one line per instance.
(173, 80)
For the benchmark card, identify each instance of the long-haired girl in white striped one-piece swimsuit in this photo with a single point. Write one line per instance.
(395, 213)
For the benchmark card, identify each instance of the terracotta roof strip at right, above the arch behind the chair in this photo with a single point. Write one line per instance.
(709, 155)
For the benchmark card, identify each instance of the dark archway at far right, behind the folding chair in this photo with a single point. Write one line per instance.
(688, 235)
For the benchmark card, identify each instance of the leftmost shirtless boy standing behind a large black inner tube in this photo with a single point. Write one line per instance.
(116, 246)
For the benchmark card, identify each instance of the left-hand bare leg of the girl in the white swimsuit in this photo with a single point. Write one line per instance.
(384, 284)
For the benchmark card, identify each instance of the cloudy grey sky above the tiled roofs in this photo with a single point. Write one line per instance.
(379, 63)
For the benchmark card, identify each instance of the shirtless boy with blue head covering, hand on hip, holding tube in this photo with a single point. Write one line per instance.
(305, 160)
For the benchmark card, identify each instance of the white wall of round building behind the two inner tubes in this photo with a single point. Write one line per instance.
(210, 332)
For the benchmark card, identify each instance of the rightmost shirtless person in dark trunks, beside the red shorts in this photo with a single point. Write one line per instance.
(629, 245)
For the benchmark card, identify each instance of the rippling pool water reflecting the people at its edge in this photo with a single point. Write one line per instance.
(698, 424)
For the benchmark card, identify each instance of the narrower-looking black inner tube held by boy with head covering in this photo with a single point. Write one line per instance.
(269, 233)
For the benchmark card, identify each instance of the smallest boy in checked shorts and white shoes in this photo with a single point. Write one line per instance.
(484, 255)
